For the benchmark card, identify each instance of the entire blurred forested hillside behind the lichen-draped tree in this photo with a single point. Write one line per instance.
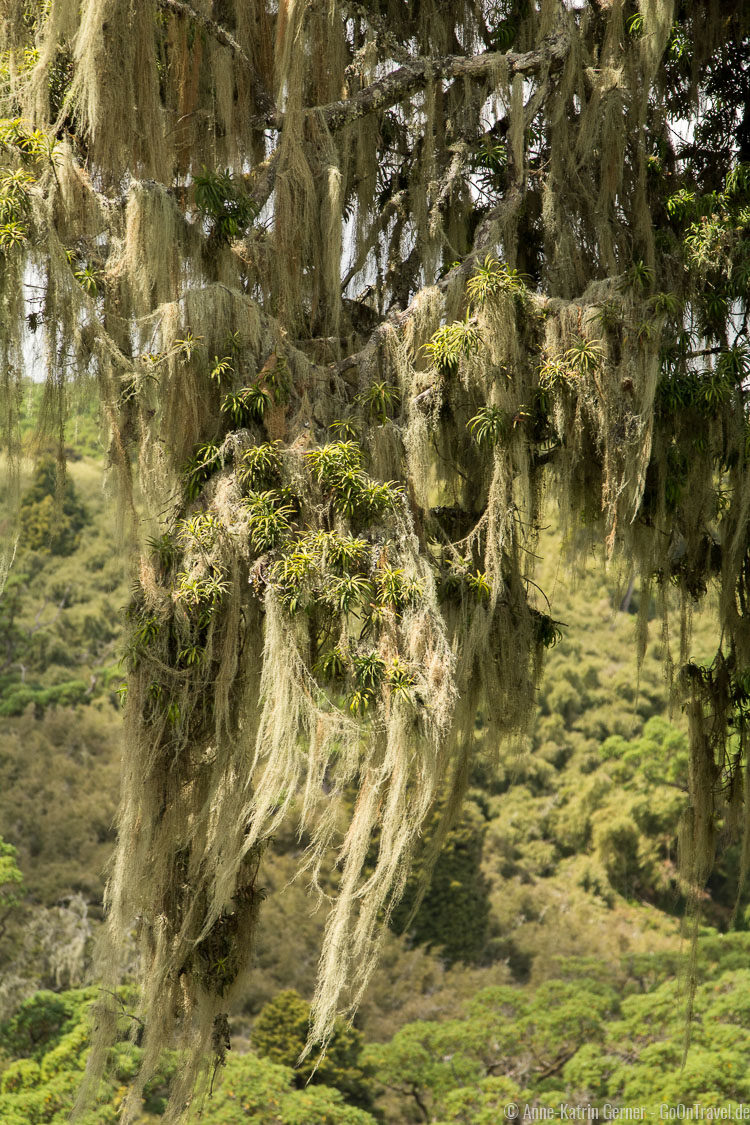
(546, 962)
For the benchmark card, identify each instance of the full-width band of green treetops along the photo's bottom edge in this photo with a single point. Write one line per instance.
(594, 1034)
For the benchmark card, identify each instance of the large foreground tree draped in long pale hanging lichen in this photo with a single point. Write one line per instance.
(357, 284)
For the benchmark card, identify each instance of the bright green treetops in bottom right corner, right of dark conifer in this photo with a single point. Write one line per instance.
(575, 1041)
